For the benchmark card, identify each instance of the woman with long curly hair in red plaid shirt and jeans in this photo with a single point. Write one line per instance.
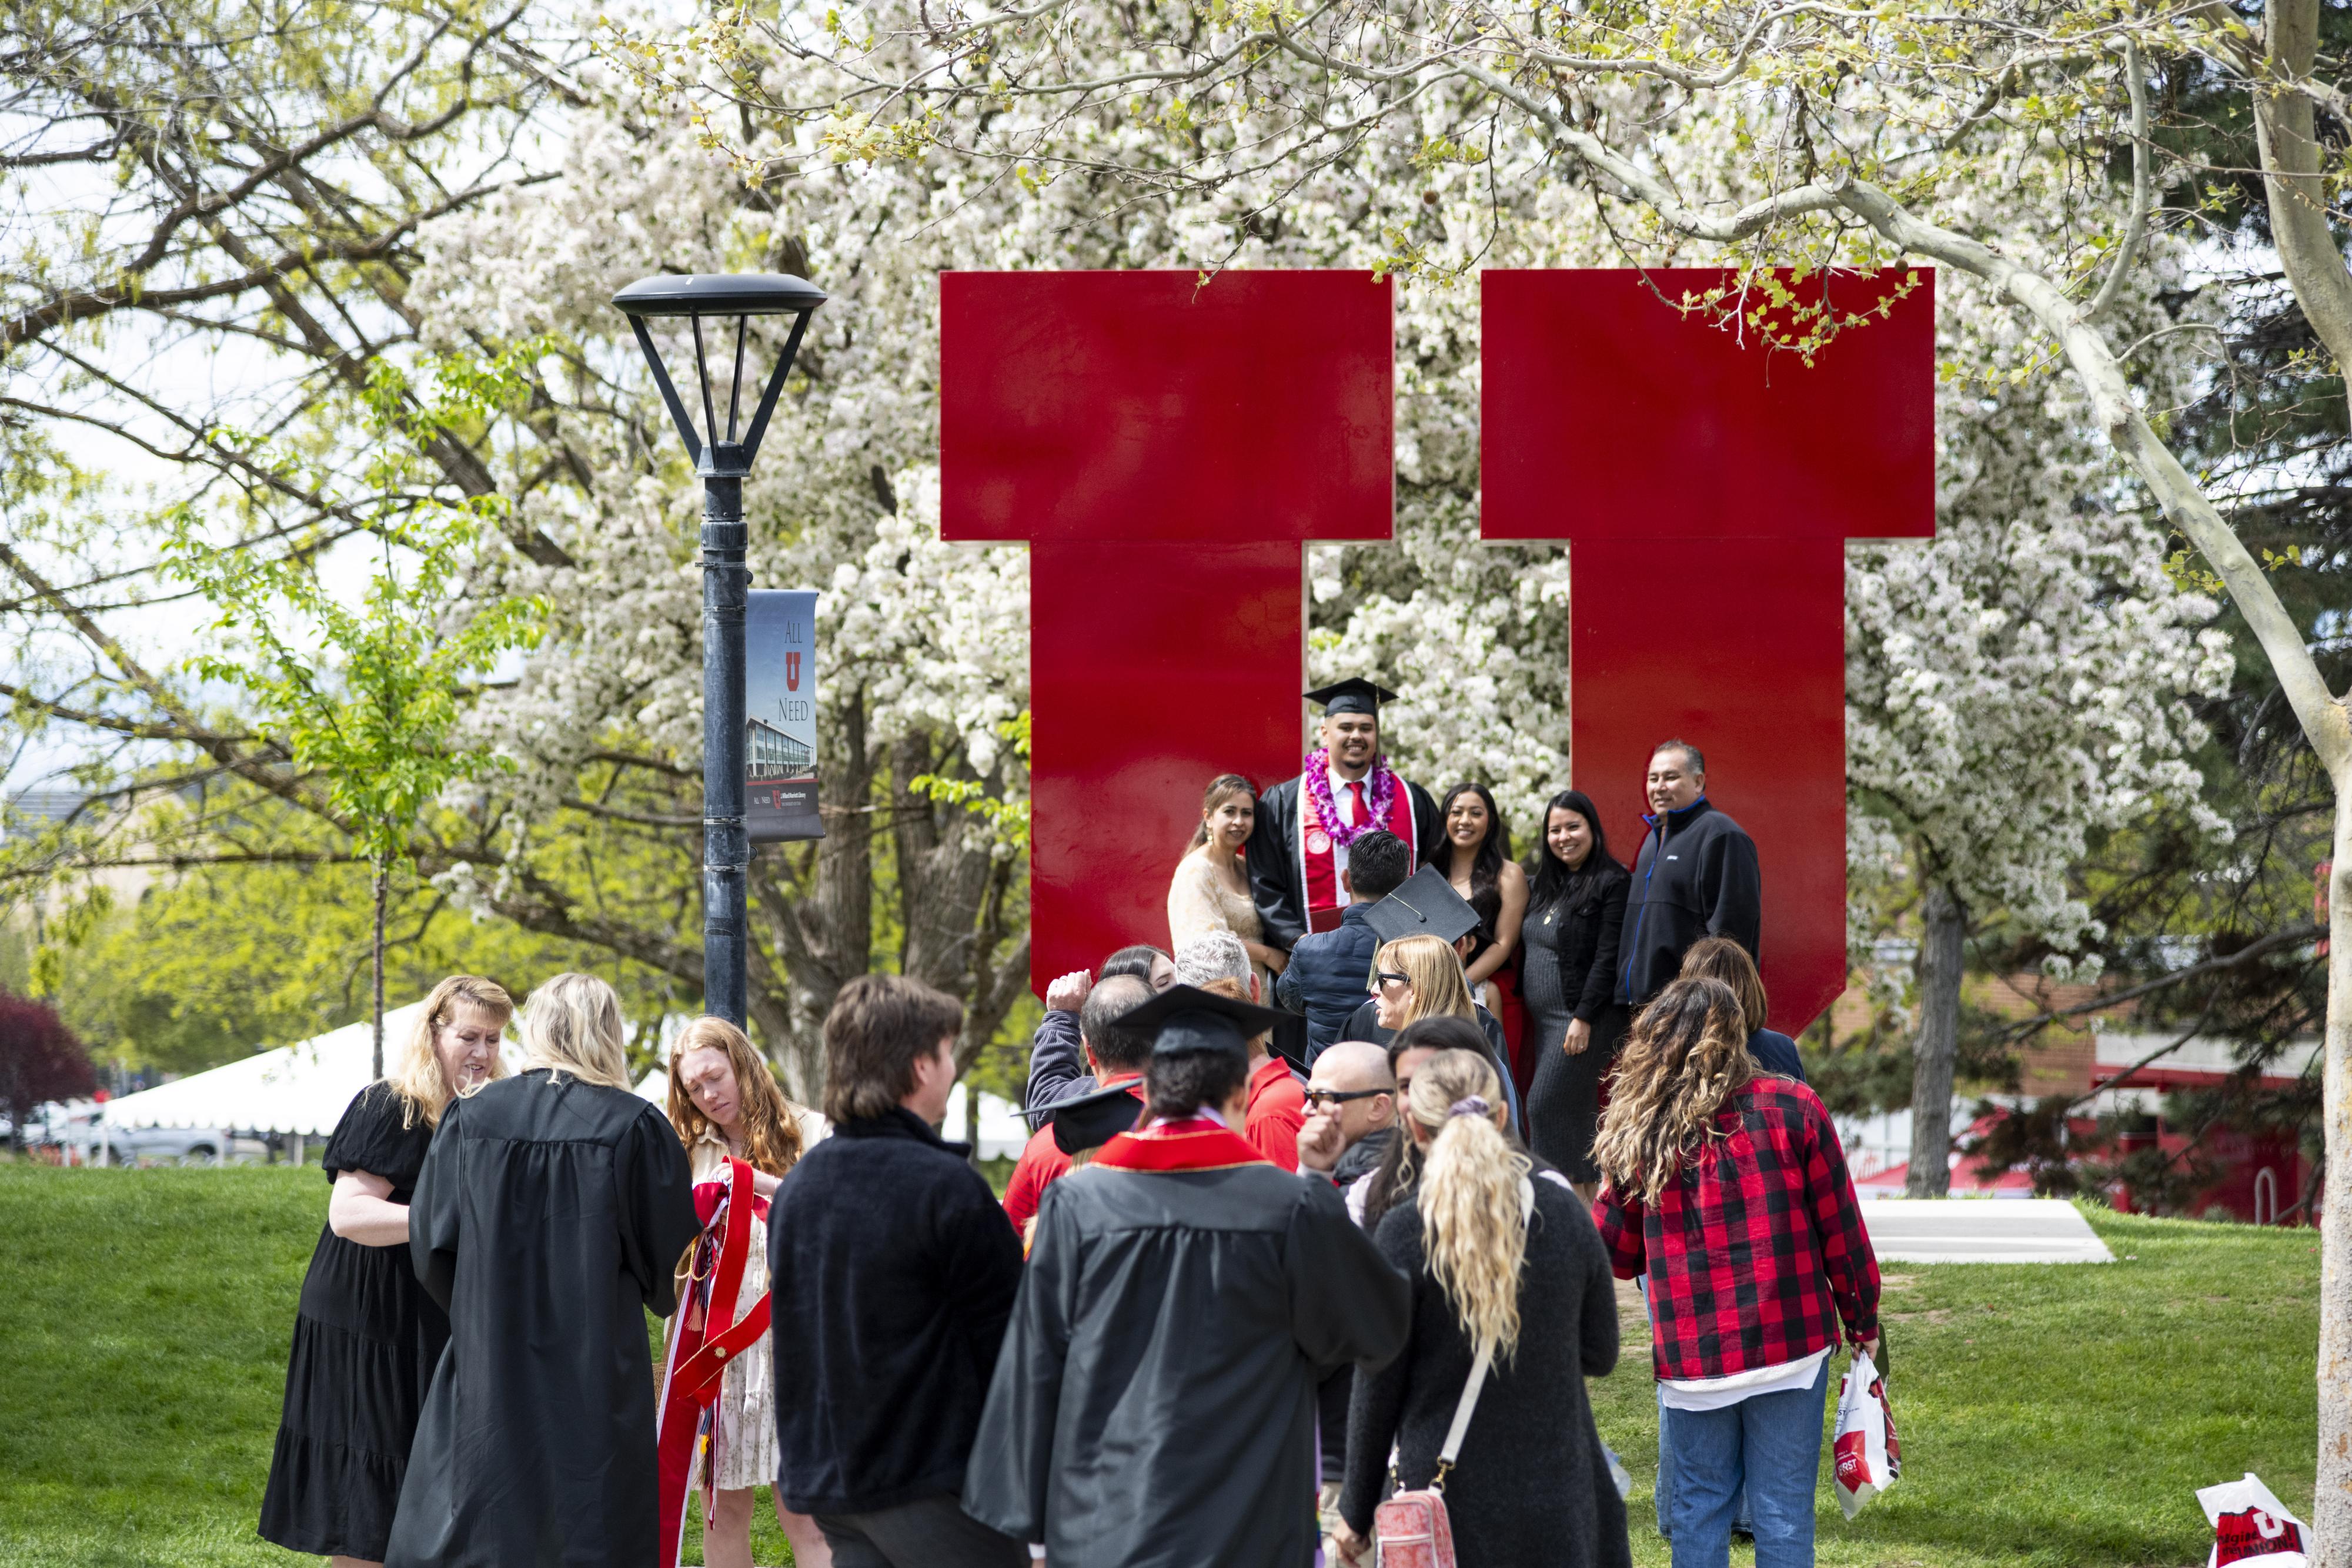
(1730, 1191)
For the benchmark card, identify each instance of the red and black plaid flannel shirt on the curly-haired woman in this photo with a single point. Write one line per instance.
(1756, 1249)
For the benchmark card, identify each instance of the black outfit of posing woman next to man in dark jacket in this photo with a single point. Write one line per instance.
(1570, 974)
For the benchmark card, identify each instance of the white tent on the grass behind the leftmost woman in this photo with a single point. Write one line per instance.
(293, 1090)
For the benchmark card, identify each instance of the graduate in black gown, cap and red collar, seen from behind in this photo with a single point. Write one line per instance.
(1154, 1405)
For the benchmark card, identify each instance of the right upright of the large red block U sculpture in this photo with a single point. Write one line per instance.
(1709, 488)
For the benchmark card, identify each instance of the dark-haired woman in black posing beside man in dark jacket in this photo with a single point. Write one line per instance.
(1575, 920)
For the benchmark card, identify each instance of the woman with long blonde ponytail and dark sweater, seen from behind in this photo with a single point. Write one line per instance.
(1514, 1296)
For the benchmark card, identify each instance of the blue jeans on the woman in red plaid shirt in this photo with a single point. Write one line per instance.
(1772, 1445)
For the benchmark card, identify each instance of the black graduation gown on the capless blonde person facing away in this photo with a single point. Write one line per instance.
(547, 1221)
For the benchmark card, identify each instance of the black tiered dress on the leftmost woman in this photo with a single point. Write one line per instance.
(366, 1341)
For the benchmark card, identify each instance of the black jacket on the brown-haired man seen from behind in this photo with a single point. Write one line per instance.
(893, 1273)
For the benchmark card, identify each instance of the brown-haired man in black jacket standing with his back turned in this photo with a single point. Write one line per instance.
(895, 1275)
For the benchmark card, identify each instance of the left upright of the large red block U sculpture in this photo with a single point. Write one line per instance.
(1165, 448)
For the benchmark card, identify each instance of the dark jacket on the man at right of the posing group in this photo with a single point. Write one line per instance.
(1697, 876)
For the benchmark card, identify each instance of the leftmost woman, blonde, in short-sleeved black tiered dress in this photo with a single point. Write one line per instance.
(368, 1336)
